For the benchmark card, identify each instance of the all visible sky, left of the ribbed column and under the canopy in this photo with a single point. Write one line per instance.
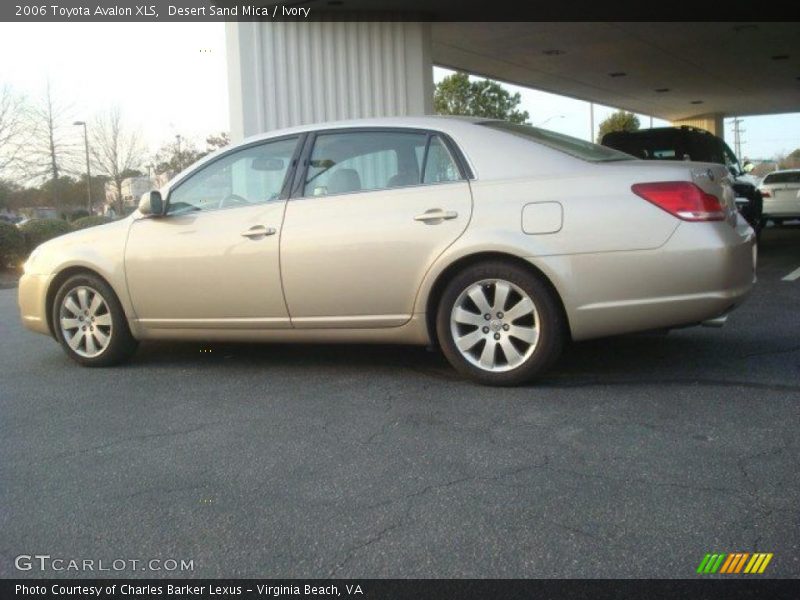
(171, 78)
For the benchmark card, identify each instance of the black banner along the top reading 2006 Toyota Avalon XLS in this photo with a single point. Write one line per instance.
(383, 10)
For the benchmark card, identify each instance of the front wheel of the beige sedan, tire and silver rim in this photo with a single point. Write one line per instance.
(90, 324)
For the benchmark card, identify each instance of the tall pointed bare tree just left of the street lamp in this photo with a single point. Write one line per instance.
(50, 151)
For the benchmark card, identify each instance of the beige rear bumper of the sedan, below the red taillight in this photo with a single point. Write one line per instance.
(703, 272)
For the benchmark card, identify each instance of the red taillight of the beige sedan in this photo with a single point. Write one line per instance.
(682, 199)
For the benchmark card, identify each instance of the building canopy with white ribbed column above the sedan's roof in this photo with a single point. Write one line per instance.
(287, 73)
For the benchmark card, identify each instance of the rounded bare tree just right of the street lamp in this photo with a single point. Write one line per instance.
(116, 150)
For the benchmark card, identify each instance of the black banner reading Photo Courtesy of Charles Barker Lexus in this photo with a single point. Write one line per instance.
(394, 589)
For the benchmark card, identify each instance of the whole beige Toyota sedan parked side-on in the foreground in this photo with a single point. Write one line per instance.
(497, 242)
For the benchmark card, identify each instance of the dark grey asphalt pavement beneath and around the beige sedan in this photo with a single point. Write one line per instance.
(635, 457)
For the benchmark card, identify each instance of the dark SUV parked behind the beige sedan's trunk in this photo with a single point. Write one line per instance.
(691, 143)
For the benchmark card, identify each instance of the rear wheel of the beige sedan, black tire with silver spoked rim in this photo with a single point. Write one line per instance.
(514, 344)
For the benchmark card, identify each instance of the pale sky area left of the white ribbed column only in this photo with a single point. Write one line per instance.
(167, 78)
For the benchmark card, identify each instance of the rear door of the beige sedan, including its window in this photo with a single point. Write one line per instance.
(370, 213)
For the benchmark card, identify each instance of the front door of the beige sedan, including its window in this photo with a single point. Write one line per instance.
(212, 261)
